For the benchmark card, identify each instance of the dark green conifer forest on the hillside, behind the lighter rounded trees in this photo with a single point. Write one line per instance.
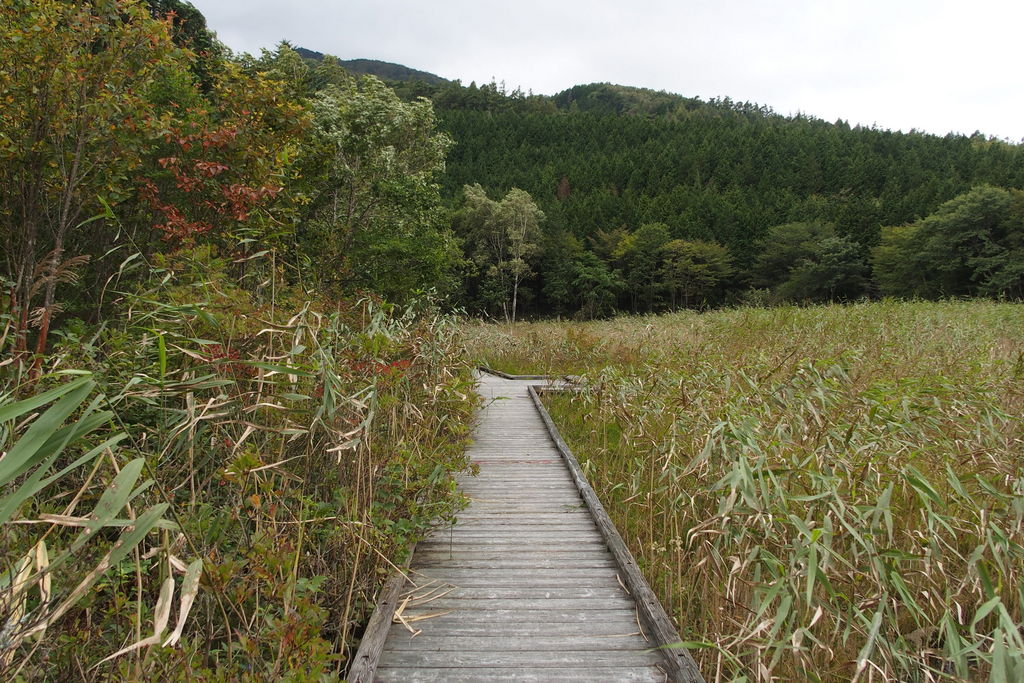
(601, 158)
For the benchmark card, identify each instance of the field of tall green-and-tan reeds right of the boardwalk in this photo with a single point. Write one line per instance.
(832, 493)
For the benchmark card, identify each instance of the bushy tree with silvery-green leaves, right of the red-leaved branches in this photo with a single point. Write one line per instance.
(372, 219)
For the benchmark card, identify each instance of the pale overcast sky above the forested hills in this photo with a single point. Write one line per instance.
(937, 66)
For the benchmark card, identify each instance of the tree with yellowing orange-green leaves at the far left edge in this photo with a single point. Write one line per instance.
(73, 124)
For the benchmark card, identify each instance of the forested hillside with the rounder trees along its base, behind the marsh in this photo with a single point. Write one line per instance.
(662, 201)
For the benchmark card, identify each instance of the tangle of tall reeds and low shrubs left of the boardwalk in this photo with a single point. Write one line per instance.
(289, 450)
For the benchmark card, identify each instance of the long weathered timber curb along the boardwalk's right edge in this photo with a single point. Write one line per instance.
(681, 666)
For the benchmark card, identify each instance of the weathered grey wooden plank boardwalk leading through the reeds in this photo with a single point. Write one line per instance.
(524, 587)
